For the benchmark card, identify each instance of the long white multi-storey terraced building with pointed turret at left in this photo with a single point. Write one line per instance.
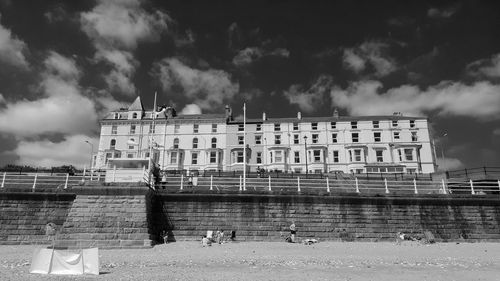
(368, 144)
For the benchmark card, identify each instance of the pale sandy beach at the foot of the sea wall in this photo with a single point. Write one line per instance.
(279, 261)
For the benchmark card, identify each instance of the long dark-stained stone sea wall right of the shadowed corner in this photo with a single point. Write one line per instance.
(346, 218)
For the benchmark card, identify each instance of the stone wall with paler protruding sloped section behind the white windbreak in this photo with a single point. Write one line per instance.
(104, 217)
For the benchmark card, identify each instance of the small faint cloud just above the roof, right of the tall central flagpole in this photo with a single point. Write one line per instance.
(309, 100)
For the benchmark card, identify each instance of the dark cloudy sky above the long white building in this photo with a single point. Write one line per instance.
(63, 64)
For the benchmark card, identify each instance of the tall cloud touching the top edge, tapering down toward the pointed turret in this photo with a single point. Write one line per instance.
(116, 28)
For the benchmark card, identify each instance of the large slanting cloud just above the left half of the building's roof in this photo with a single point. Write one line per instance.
(209, 89)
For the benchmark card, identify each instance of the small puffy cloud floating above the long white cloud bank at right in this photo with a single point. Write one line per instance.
(370, 53)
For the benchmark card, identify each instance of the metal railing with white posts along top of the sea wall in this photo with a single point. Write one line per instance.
(299, 185)
